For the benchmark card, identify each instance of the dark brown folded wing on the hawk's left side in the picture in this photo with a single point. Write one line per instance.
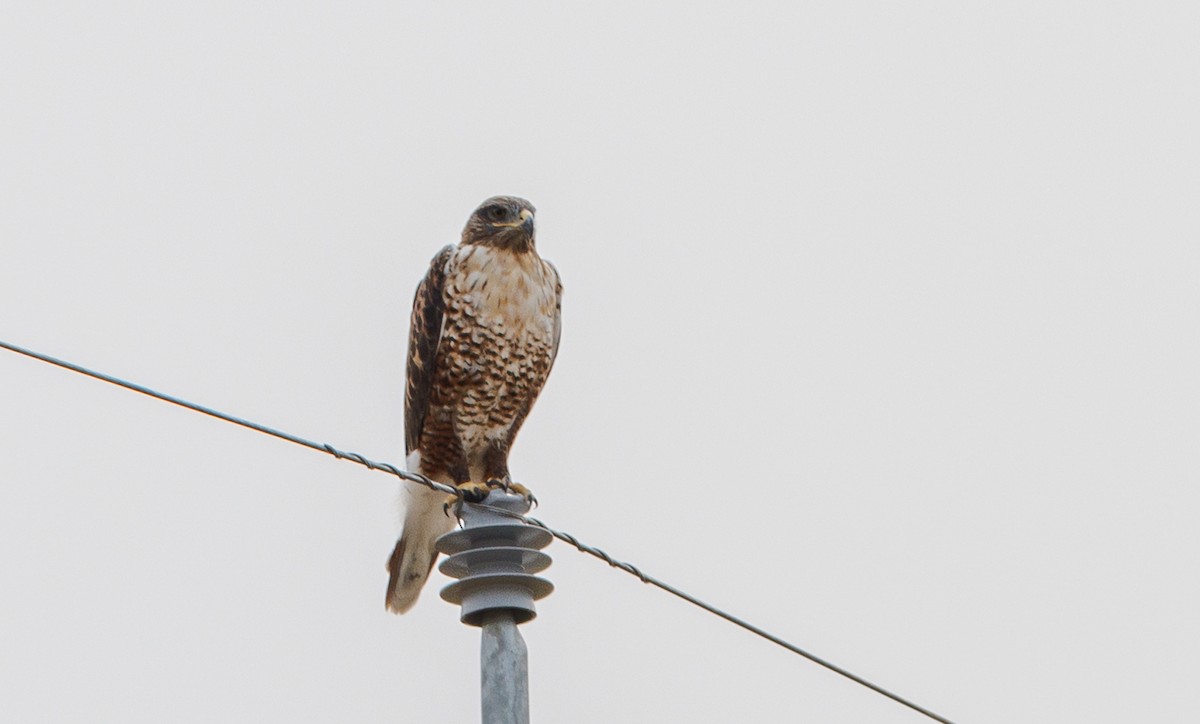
(424, 334)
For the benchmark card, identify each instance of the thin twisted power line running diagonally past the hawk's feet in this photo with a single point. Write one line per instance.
(435, 486)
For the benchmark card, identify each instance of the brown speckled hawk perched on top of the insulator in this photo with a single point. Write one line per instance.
(484, 334)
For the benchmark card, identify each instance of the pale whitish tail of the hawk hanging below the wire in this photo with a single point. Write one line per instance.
(413, 558)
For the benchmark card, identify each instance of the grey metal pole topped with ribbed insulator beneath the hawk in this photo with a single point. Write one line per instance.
(494, 558)
